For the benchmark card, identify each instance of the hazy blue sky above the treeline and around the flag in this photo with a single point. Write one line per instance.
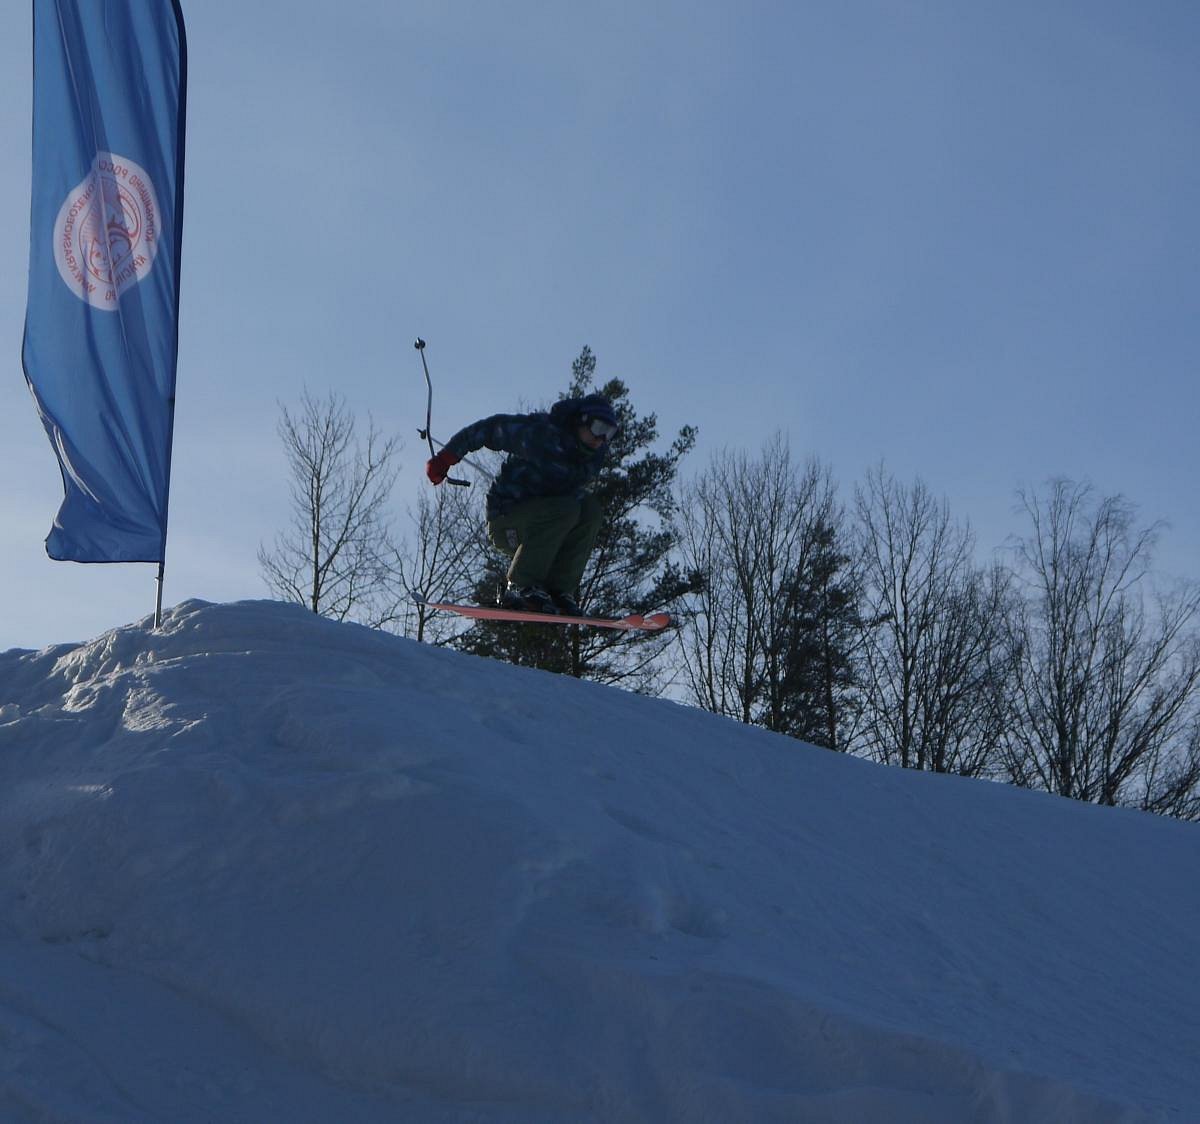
(958, 237)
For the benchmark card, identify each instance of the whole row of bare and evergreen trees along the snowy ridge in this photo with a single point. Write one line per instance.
(866, 624)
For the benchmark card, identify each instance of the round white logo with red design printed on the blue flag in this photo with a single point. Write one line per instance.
(107, 232)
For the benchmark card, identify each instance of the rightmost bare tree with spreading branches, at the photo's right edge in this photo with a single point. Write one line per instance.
(1105, 689)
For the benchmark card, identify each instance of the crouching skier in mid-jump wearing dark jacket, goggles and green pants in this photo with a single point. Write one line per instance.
(539, 509)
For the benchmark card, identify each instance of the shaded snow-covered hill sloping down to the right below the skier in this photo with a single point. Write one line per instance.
(262, 868)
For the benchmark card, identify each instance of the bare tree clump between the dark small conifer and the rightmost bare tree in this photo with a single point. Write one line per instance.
(931, 634)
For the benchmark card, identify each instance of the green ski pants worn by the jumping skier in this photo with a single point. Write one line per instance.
(550, 540)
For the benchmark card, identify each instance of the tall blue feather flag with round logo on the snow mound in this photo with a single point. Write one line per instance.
(106, 230)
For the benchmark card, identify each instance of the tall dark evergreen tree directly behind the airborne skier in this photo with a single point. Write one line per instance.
(631, 570)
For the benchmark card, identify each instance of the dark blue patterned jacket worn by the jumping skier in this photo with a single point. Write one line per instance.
(545, 455)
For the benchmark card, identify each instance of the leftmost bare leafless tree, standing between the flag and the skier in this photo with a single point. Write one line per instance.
(332, 557)
